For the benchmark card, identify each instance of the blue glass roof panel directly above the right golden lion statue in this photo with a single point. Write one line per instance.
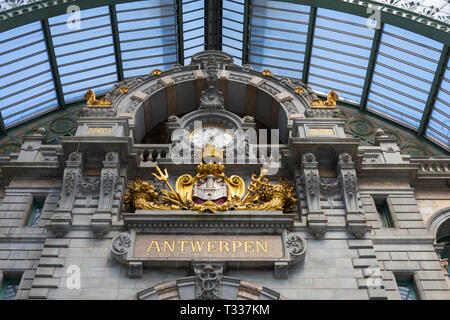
(345, 61)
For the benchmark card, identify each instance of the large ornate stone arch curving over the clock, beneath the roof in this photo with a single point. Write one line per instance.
(147, 101)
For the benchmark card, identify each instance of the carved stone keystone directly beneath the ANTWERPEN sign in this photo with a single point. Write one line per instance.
(208, 281)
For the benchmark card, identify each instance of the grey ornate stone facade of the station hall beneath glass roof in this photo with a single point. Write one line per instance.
(348, 252)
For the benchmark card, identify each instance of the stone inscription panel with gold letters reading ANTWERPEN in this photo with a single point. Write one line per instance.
(244, 247)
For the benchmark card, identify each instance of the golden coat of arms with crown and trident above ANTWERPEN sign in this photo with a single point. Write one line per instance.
(210, 190)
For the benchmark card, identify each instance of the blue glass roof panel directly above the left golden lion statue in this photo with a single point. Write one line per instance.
(85, 55)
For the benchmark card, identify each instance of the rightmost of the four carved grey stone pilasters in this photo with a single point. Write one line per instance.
(356, 222)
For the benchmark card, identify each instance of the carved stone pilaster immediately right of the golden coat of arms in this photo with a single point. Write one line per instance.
(316, 220)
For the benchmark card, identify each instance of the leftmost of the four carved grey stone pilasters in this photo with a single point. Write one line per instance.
(61, 220)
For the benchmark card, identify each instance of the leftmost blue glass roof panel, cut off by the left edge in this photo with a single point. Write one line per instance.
(27, 86)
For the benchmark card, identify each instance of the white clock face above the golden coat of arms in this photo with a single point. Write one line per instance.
(210, 134)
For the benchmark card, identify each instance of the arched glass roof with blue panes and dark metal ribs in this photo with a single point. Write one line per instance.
(393, 72)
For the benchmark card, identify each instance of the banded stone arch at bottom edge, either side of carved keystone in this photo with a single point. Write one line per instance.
(231, 289)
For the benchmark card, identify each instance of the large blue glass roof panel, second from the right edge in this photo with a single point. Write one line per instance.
(403, 74)
